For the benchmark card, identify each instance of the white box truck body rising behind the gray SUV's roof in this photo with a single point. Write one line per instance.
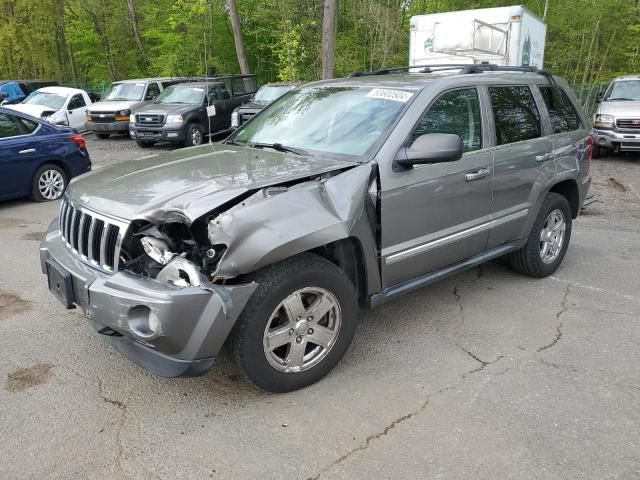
(505, 36)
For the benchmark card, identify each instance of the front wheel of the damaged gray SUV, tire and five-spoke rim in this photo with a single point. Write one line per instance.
(315, 279)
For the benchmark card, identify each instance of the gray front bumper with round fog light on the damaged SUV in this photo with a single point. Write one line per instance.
(194, 321)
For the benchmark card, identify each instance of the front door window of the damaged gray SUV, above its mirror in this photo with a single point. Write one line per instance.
(456, 112)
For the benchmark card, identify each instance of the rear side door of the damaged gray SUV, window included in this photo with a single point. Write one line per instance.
(523, 158)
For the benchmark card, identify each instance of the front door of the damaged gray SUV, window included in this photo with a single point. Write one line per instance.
(438, 214)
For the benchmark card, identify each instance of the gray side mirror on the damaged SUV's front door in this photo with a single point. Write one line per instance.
(431, 148)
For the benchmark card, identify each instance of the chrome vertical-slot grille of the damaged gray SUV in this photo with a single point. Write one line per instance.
(94, 238)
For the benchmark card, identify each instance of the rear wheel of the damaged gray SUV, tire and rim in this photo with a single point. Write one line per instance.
(532, 259)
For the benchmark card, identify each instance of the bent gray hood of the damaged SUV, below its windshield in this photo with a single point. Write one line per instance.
(187, 183)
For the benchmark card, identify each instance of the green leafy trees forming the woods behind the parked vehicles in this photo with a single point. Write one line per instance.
(89, 41)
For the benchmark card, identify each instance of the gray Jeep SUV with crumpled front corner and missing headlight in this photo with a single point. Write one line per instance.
(342, 194)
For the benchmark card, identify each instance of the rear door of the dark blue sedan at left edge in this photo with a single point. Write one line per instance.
(20, 153)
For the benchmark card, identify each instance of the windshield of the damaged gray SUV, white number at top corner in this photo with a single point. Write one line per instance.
(338, 119)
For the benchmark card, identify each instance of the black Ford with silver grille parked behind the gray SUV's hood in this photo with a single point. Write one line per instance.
(185, 113)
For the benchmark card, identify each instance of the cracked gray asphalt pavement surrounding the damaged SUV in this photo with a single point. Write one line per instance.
(487, 375)
